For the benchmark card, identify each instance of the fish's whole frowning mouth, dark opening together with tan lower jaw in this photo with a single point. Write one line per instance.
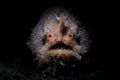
(60, 51)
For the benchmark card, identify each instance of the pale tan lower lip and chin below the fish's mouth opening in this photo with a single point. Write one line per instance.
(58, 54)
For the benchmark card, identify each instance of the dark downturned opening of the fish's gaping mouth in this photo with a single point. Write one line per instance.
(60, 46)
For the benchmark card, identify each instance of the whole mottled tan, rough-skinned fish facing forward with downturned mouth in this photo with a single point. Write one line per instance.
(58, 37)
